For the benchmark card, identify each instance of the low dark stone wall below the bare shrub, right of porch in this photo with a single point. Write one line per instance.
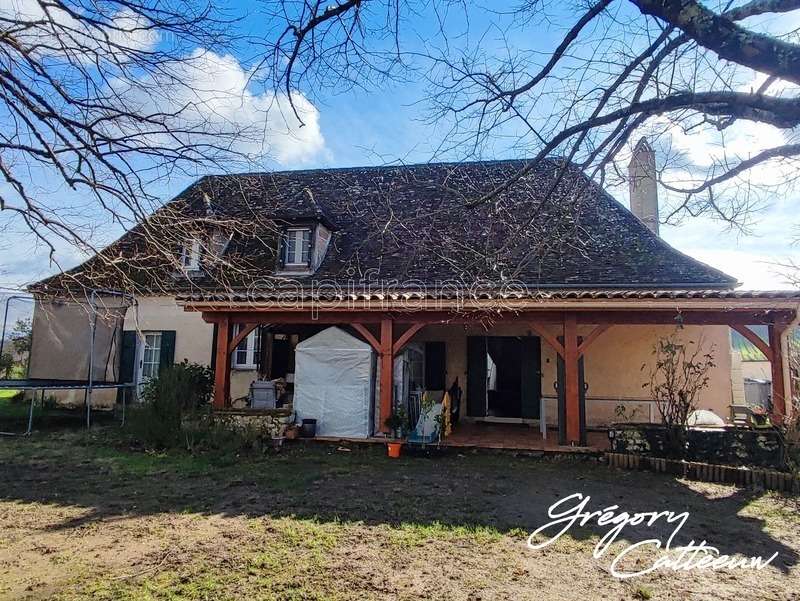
(729, 446)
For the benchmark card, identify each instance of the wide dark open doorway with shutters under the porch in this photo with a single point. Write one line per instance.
(503, 377)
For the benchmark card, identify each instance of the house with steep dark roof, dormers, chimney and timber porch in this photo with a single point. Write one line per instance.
(542, 300)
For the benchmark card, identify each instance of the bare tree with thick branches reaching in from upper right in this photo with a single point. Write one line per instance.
(619, 69)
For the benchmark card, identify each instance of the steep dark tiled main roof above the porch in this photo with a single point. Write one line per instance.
(554, 229)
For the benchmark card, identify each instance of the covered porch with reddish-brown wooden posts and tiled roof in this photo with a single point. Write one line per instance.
(569, 333)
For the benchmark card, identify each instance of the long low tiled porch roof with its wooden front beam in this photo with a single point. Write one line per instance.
(630, 306)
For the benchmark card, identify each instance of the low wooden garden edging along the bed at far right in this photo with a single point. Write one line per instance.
(708, 472)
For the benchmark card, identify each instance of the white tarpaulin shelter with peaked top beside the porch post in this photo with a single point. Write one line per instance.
(333, 383)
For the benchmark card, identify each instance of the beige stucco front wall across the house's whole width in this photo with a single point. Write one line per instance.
(613, 363)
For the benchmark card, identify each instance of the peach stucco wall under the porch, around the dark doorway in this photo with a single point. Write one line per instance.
(613, 367)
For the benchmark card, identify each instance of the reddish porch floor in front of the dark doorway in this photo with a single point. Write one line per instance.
(518, 436)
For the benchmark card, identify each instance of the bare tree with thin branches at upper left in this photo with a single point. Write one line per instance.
(96, 103)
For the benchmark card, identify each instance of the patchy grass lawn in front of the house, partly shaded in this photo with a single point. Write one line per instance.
(82, 517)
